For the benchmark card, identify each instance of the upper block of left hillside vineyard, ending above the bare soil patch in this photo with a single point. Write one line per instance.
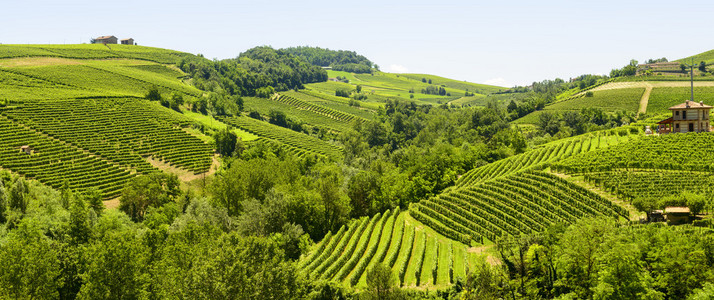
(121, 130)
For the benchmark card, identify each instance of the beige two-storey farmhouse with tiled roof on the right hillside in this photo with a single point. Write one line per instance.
(689, 116)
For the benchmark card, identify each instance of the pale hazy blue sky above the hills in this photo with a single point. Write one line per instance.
(497, 42)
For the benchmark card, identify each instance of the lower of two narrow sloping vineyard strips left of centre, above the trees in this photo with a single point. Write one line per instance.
(296, 142)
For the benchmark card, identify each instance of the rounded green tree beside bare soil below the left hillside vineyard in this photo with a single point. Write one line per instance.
(145, 191)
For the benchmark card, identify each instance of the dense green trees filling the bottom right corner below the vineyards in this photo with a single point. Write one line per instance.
(599, 259)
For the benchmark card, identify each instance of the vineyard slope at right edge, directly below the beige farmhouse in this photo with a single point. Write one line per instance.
(651, 152)
